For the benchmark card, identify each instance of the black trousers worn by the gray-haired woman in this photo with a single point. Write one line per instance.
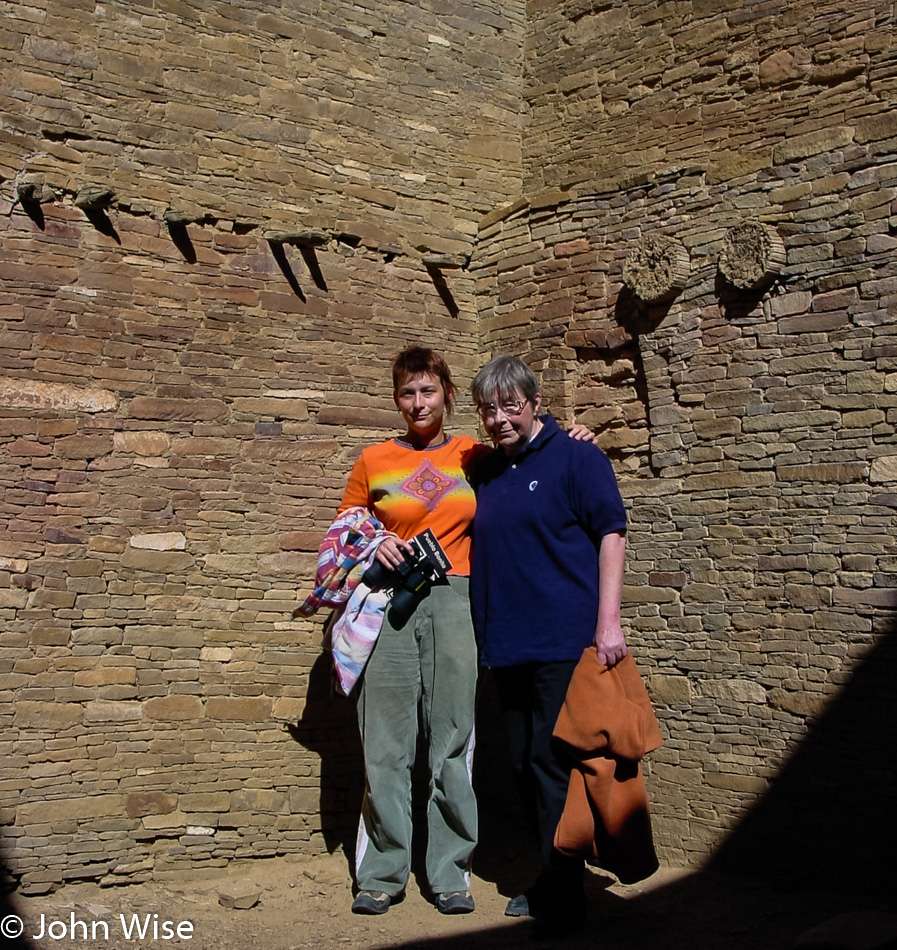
(531, 696)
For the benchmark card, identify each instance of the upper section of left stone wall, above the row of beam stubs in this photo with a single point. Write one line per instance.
(270, 113)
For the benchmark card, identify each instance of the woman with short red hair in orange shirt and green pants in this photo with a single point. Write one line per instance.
(410, 483)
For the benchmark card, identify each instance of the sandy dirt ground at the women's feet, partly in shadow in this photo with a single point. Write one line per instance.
(304, 905)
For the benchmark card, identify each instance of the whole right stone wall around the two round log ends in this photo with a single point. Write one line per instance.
(753, 427)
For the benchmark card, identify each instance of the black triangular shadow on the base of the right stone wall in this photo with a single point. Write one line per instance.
(831, 813)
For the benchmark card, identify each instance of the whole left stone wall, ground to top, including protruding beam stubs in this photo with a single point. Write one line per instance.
(187, 369)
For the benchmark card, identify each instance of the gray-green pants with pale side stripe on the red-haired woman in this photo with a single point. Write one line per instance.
(431, 661)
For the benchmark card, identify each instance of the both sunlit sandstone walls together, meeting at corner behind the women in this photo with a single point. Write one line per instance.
(188, 366)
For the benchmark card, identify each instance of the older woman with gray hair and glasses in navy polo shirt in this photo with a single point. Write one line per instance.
(546, 582)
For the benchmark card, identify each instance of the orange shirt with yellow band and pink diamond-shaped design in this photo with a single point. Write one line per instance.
(410, 490)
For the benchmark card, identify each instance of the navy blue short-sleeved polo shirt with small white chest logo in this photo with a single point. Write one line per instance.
(540, 518)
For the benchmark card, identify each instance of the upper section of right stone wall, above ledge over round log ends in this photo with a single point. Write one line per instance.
(614, 87)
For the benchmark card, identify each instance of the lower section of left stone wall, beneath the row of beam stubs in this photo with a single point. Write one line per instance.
(171, 455)
